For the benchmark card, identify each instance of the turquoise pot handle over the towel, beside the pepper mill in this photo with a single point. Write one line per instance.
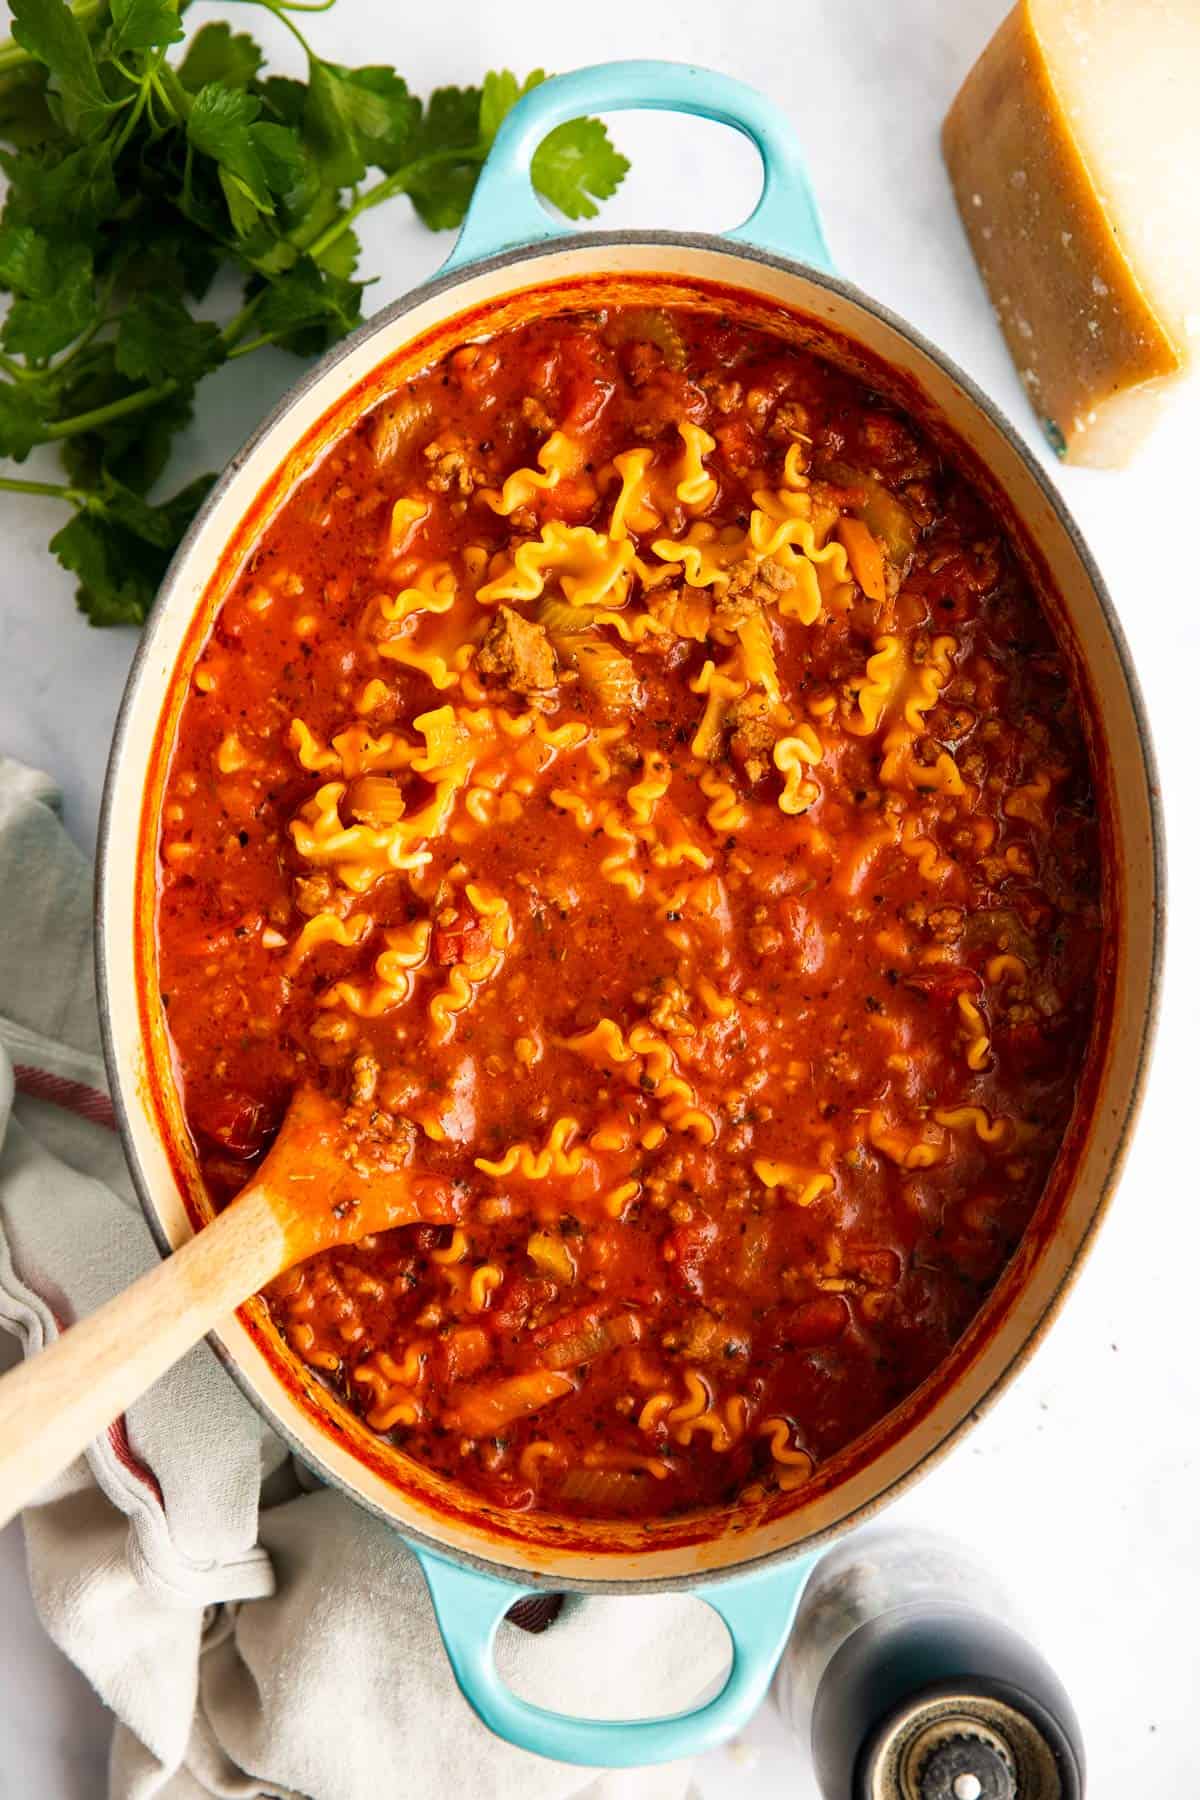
(470, 1606)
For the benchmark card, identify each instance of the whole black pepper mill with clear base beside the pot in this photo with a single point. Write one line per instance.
(911, 1682)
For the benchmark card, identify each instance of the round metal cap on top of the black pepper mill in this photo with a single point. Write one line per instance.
(962, 1747)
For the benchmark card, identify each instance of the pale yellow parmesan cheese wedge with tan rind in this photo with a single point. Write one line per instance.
(1075, 156)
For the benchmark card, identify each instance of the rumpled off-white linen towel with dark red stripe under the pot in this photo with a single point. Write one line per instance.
(251, 1632)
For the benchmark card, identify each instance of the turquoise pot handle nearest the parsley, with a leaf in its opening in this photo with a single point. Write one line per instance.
(506, 211)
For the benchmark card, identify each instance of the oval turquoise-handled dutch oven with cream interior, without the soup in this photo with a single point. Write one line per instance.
(514, 262)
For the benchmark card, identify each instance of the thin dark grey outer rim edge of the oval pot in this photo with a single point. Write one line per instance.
(434, 289)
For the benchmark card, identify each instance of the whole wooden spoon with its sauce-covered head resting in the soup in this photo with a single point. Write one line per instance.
(325, 1183)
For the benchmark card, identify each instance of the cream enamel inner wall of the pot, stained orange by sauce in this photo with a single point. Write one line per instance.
(638, 1558)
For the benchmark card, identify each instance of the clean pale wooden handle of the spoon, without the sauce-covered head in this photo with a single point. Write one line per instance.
(69, 1394)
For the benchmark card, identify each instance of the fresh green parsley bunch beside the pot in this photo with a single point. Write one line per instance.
(136, 174)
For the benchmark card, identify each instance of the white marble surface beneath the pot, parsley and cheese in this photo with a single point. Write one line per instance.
(1082, 1484)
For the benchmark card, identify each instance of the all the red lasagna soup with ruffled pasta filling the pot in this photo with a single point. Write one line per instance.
(634, 775)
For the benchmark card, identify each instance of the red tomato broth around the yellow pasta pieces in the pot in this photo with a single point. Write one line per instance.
(821, 1315)
